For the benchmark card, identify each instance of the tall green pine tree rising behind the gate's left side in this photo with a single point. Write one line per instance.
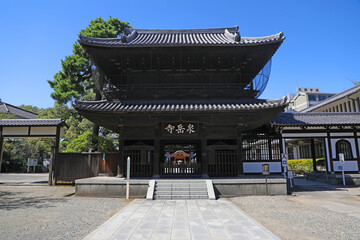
(79, 78)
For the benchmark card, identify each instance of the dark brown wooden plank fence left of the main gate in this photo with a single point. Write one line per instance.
(71, 166)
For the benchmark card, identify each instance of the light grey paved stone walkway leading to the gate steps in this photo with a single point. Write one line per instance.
(180, 220)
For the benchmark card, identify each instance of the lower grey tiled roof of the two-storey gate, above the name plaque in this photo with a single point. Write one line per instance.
(180, 106)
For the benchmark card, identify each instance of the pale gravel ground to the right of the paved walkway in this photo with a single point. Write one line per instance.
(307, 215)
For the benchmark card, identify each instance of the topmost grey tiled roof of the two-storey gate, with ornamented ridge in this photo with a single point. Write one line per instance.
(180, 37)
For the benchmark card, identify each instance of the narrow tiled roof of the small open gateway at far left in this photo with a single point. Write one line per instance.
(31, 122)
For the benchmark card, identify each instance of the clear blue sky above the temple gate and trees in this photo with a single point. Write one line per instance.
(322, 46)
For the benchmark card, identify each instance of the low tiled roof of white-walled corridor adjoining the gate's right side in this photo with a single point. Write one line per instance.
(316, 119)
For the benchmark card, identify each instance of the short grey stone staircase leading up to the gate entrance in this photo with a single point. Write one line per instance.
(182, 189)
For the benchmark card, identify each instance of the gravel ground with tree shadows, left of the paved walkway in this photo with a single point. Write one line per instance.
(43, 212)
